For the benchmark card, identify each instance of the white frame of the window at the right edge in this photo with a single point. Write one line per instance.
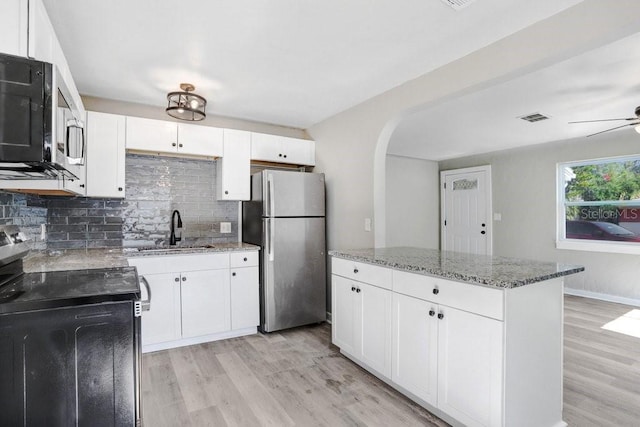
(583, 244)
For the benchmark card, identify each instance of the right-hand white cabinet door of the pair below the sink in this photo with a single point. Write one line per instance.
(206, 302)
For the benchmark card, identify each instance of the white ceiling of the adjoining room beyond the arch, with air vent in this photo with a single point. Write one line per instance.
(599, 84)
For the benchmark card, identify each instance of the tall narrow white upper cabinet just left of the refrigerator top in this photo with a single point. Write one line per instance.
(233, 176)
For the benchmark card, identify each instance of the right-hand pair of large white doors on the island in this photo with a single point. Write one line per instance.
(449, 358)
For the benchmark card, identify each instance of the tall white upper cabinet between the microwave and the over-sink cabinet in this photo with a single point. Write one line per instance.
(105, 155)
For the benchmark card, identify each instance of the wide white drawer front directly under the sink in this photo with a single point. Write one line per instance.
(173, 263)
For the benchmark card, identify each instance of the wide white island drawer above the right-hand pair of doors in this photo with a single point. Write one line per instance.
(472, 298)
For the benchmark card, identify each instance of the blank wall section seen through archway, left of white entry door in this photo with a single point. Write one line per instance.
(412, 203)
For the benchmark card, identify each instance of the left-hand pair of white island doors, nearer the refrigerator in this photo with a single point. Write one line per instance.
(361, 320)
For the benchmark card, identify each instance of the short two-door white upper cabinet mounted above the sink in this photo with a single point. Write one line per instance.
(173, 138)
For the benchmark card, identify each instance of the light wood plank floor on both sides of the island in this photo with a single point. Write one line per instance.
(297, 377)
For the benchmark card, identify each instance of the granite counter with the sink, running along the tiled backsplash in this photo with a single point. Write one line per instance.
(81, 259)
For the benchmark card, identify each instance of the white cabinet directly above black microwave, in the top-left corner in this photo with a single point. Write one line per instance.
(14, 27)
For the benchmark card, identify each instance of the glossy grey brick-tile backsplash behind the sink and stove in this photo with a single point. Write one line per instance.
(155, 186)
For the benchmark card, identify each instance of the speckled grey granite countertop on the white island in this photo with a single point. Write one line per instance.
(501, 272)
